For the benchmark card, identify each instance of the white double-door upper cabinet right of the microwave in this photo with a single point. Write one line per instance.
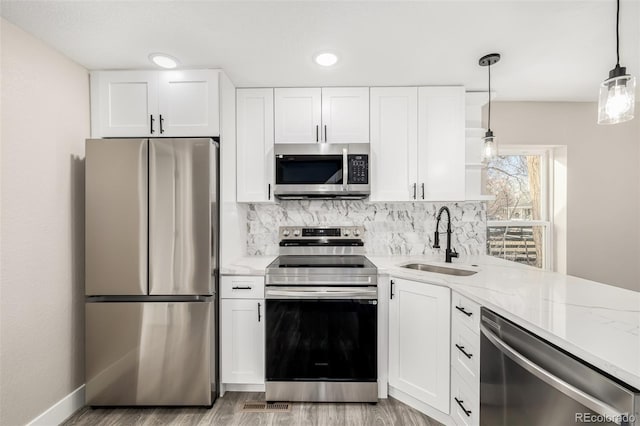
(418, 144)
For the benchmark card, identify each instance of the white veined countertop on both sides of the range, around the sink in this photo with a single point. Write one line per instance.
(596, 322)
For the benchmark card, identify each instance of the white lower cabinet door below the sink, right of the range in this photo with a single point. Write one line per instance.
(419, 324)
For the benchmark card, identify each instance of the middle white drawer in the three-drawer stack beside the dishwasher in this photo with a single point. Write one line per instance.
(465, 353)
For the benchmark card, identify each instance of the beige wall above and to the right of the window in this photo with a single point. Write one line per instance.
(603, 183)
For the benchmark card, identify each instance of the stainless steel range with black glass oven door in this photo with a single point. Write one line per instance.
(321, 317)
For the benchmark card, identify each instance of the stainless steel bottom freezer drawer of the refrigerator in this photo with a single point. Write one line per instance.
(149, 353)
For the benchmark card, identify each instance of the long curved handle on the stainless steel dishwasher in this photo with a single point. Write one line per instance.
(557, 383)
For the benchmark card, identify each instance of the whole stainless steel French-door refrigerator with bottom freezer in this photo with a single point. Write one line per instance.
(151, 271)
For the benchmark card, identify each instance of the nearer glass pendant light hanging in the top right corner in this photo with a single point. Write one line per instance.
(616, 102)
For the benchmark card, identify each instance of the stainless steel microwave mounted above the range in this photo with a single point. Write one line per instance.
(322, 171)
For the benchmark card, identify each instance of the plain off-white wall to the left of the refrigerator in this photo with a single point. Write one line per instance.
(45, 119)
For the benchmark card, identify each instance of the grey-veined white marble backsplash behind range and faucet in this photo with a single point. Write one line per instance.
(390, 228)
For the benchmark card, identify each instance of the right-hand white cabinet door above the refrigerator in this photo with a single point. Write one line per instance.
(188, 103)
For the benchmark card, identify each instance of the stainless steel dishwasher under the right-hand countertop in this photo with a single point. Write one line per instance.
(525, 380)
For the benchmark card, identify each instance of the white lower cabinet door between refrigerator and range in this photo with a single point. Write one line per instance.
(242, 341)
